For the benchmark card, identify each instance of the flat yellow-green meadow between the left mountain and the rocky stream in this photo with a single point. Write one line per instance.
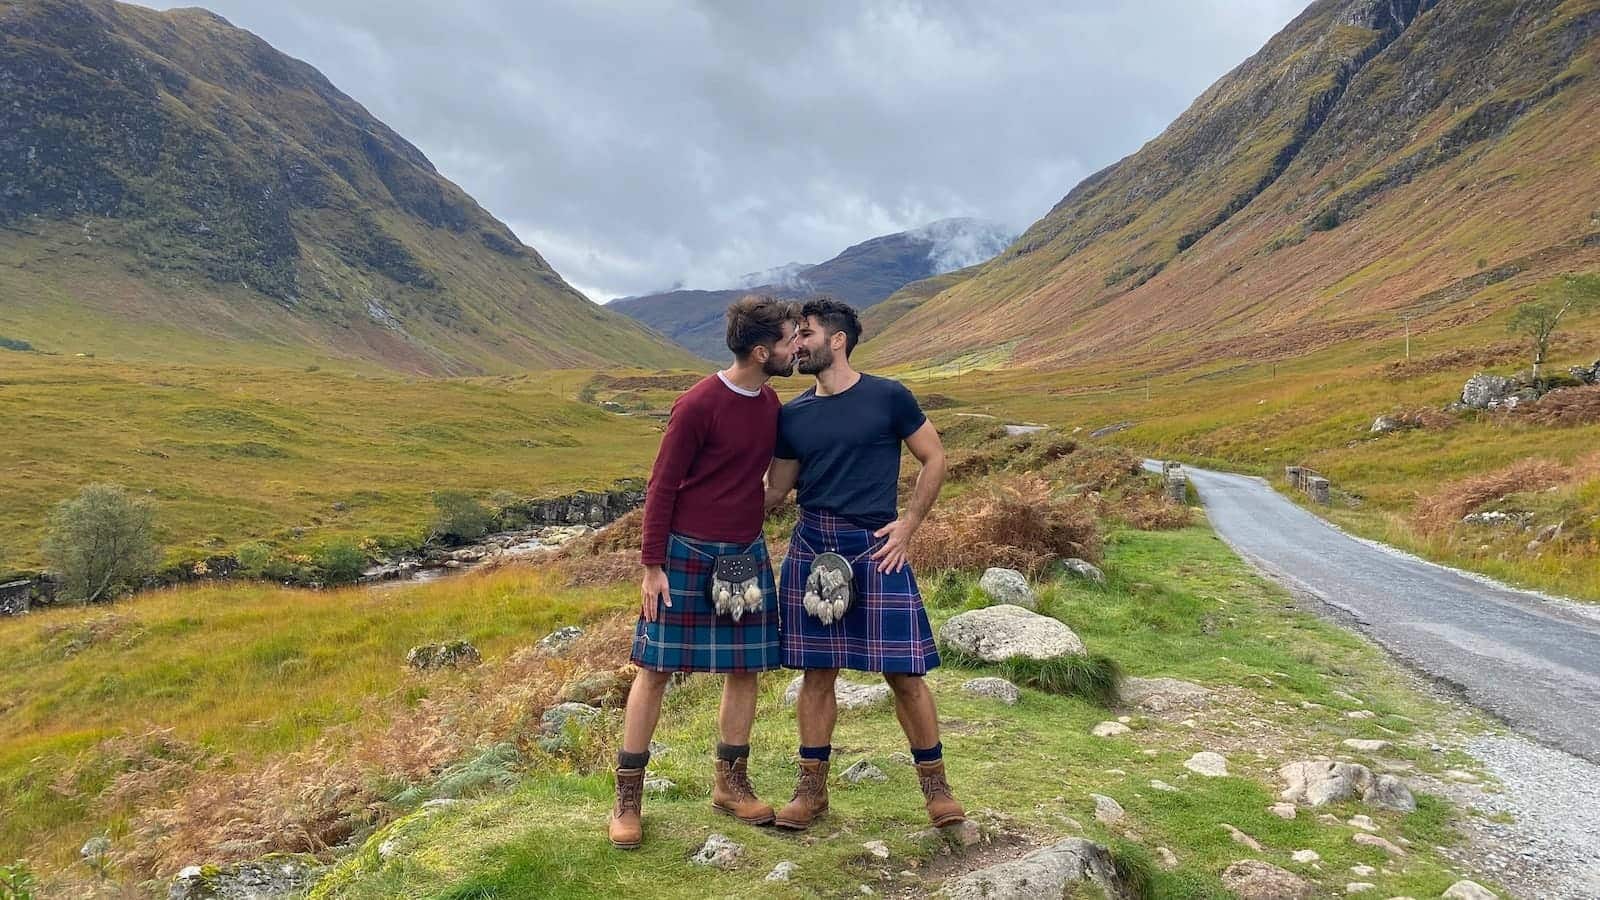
(287, 456)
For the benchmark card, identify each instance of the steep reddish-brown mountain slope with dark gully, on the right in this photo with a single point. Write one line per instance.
(1375, 159)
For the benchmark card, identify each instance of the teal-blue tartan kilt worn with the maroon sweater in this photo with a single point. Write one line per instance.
(690, 637)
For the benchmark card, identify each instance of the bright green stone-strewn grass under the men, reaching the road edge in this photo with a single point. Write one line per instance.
(1177, 605)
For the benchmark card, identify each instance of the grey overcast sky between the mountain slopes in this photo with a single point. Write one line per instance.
(647, 145)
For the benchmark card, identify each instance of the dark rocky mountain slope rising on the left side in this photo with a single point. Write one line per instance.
(178, 190)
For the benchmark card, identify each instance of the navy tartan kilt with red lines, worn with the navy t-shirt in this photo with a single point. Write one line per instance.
(886, 630)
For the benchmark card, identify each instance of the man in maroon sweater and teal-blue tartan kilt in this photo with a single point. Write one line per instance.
(706, 502)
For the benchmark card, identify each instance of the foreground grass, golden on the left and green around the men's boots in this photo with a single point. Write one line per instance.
(326, 705)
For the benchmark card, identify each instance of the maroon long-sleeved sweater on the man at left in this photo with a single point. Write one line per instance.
(708, 478)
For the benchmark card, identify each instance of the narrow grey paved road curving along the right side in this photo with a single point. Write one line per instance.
(1529, 661)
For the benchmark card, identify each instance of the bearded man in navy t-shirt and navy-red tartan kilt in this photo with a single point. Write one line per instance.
(841, 443)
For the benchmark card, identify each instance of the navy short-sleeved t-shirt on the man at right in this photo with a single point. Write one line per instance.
(849, 448)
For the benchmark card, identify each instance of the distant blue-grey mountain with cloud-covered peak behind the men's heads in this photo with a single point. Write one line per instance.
(863, 276)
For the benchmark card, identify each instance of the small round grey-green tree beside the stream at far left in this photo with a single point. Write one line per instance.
(102, 542)
